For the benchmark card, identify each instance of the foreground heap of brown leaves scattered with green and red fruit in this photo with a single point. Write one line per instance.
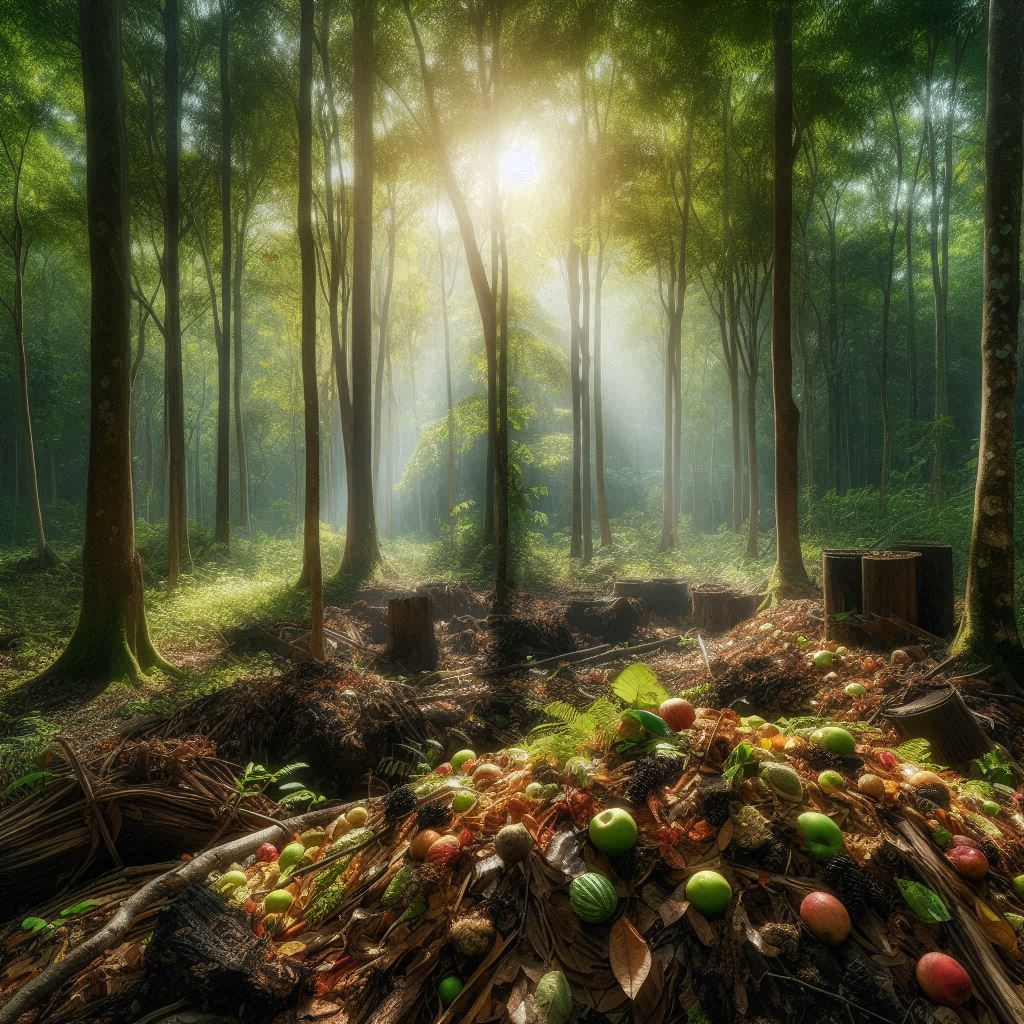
(635, 860)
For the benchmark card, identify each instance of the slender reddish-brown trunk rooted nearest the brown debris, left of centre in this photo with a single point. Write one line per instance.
(312, 569)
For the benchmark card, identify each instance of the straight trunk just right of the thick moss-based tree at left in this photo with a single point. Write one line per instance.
(178, 503)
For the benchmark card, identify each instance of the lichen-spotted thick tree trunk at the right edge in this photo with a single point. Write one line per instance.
(989, 631)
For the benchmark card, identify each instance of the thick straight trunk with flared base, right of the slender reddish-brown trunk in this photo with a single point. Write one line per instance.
(362, 547)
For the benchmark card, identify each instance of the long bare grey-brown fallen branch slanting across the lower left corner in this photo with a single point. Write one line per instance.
(34, 993)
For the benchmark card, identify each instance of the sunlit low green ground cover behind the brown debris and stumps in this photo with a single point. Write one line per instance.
(255, 585)
